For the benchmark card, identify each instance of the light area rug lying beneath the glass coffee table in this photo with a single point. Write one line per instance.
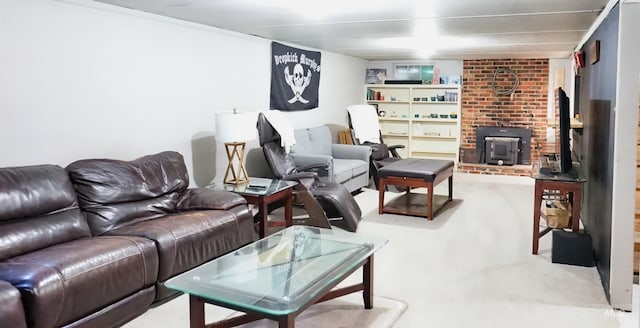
(347, 311)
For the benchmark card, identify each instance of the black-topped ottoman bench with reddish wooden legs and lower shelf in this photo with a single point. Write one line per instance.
(415, 173)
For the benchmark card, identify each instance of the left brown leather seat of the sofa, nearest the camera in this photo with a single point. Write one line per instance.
(63, 283)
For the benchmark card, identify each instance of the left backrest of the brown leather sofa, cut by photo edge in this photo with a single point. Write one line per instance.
(38, 208)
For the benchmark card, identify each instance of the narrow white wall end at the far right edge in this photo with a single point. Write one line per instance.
(624, 161)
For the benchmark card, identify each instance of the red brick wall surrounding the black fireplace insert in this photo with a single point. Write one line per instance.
(526, 108)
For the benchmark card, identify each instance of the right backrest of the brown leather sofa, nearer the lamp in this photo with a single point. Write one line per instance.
(115, 193)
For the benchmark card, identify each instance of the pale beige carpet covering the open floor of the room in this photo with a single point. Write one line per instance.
(470, 267)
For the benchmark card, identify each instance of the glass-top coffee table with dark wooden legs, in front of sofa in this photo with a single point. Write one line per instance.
(278, 277)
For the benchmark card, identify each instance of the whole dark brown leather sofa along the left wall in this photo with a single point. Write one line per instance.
(90, 246)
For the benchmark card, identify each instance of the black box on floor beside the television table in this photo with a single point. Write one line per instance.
(571, 248)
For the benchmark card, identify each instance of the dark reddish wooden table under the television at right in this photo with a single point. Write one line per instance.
(567, 185)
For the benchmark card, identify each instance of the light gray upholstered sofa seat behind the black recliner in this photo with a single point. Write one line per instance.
(345, 164)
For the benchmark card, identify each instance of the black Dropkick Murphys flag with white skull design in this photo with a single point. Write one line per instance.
(295, 78)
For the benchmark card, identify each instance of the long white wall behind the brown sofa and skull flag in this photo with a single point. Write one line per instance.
(81, 79)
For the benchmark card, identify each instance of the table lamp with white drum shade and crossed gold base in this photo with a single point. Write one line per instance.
(234, 129)
